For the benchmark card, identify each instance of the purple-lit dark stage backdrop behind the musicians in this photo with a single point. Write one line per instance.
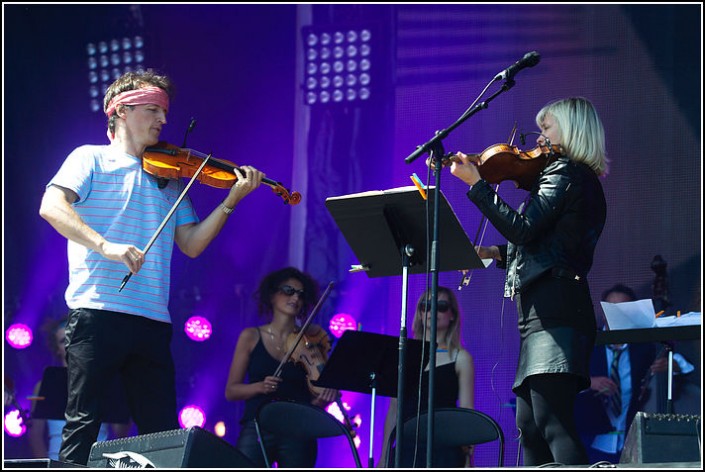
(235, 69)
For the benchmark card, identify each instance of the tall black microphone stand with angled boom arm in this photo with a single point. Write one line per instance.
(434, 147)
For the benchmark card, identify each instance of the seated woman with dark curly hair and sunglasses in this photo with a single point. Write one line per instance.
(284, 295)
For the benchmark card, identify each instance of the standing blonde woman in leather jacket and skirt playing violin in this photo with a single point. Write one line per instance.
(549, 254)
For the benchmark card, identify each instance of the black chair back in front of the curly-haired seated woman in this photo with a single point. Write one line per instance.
(287, 418)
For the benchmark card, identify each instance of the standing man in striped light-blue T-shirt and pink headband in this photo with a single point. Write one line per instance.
(108, 207)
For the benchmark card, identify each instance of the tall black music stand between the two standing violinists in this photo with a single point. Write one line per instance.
(386, 230)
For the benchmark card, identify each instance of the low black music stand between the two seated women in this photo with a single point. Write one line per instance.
(367, 363)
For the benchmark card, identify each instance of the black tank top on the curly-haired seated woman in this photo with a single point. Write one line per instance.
(293, 385)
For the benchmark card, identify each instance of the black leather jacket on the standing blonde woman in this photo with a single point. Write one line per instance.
(558, 228)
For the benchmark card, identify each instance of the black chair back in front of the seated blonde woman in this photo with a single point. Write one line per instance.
(453, 427)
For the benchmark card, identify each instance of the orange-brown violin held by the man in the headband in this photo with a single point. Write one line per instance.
(167, 161)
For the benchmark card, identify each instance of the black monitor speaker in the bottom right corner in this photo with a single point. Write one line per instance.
(656, 437)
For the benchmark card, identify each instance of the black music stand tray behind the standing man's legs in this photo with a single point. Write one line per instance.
(53, 395)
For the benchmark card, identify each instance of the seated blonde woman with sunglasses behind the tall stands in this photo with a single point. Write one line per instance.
(454, 380)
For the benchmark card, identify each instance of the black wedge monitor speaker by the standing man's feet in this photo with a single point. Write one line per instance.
(180, 448)
